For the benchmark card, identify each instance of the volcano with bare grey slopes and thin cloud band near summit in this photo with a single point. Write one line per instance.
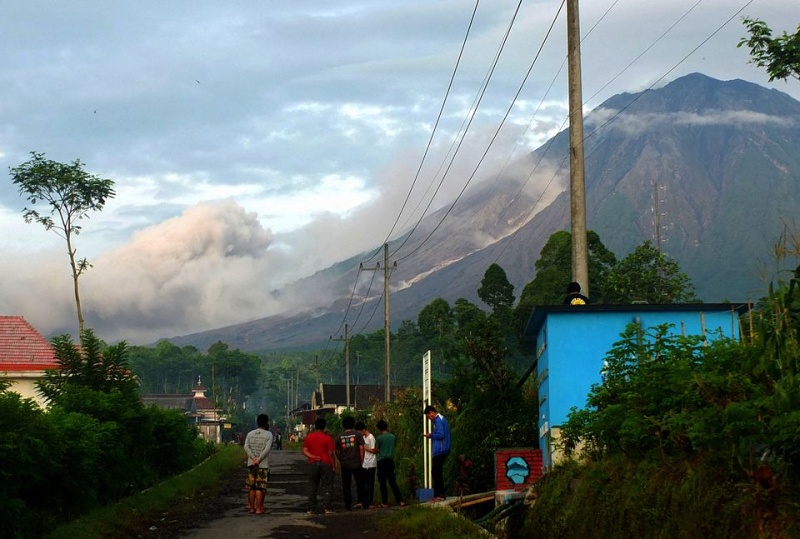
(709, 169)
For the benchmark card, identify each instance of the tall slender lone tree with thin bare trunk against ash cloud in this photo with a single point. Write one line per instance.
(70, 193)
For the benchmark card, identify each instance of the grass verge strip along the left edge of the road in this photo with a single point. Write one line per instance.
(177, 496)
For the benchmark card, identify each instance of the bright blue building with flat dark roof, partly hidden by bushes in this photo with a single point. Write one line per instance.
(571, 343)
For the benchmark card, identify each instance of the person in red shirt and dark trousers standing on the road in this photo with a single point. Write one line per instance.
(318, 448)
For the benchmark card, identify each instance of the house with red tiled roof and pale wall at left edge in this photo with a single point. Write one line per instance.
(24, 356)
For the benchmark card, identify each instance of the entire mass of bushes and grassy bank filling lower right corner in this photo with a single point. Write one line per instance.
(706, 433)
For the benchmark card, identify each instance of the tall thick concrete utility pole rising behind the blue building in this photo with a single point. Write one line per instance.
(577, 180)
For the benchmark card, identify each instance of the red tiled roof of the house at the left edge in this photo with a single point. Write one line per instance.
(22, 348)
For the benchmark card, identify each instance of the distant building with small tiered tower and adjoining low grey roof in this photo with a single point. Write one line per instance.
(199, 410)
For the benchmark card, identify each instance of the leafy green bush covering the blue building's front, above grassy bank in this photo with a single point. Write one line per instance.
(668, 395)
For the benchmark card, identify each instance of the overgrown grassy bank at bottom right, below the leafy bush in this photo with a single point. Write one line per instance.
(619, 498)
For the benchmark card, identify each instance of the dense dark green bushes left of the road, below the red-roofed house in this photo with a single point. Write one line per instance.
(95, 444)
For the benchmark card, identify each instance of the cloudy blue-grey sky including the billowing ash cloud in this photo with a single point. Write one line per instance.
(254, 143)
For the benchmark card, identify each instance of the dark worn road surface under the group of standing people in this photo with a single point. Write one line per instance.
(226, 516)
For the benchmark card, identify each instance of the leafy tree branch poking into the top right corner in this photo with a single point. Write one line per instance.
(780, 55)
